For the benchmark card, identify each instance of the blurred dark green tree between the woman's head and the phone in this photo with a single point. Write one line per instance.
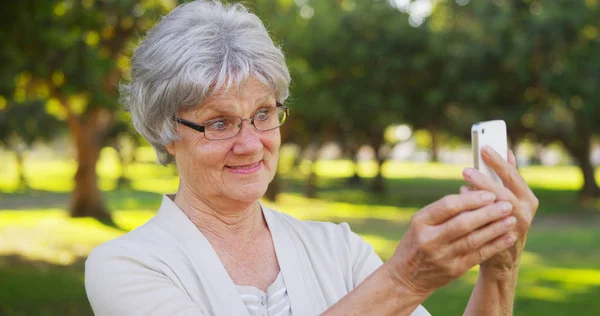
(350, 62)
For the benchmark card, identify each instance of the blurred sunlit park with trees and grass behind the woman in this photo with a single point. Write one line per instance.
(383, 97)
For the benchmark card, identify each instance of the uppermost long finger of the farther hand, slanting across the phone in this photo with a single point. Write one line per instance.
(507, 172)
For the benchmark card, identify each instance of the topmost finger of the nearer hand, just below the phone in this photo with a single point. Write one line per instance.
(451, 205)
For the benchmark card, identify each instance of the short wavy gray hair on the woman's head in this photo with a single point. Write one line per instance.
(196, 49)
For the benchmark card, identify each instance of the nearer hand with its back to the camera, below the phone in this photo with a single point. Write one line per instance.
(445, 240)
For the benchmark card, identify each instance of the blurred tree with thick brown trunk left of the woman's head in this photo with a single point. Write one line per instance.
(73, 55)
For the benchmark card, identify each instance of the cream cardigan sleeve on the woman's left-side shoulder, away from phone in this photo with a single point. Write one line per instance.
(120, 282)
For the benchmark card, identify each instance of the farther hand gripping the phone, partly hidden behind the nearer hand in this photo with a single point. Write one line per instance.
(513, 190)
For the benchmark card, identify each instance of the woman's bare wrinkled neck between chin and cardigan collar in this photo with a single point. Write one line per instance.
(229, 221)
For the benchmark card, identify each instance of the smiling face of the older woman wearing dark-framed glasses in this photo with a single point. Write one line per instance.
(239, 168)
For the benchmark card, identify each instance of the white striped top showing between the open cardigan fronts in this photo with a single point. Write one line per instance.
(273, 303)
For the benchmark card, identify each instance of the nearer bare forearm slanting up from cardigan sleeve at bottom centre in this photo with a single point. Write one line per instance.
(379, 294)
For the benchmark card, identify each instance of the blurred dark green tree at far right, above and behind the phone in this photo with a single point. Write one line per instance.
(532, 64)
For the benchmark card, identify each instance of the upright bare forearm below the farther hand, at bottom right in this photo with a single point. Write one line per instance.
(494, 293)
